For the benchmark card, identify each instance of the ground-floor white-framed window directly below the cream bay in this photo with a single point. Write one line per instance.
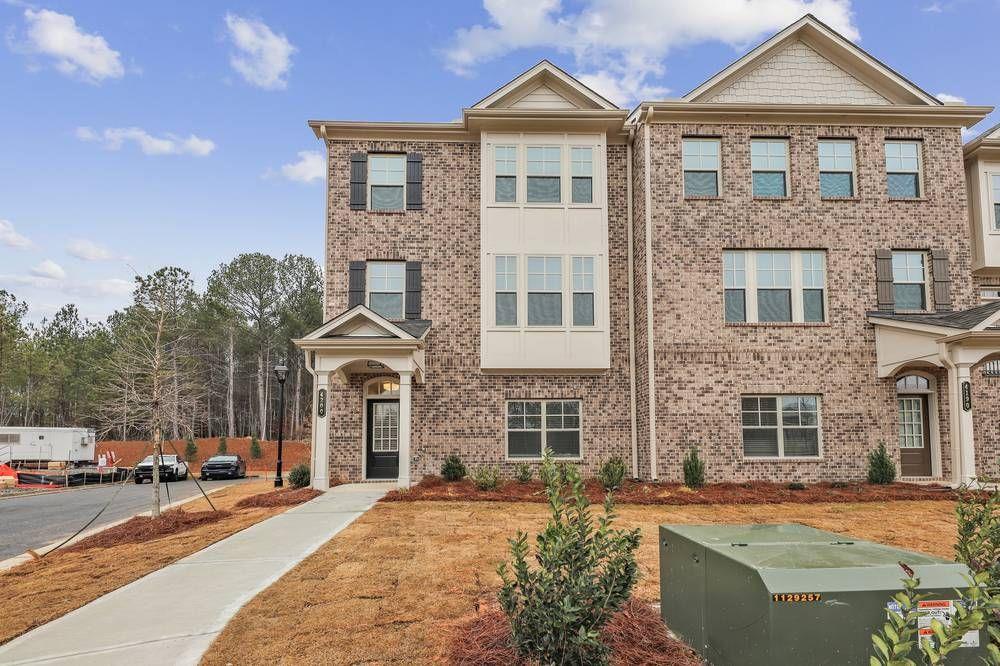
(536, 425)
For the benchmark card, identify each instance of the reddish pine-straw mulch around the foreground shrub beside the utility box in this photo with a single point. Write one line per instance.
(636, 635)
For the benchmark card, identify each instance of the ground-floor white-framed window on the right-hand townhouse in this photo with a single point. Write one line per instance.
(781, 426)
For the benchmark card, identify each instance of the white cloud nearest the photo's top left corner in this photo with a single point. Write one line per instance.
(76, 53)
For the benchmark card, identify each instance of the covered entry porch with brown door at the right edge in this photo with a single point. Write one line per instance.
(915, 348)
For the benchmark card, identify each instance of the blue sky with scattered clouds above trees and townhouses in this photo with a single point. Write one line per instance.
(150, 134)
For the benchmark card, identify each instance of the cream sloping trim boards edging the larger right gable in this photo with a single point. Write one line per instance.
(831, 45)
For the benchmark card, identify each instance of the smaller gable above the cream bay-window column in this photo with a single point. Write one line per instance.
(544, 86)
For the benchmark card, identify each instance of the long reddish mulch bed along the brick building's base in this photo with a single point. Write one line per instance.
(434, 488)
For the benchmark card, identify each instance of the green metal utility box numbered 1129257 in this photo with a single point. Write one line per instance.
(791, 594)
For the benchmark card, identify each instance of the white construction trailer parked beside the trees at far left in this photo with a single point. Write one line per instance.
(70, 445)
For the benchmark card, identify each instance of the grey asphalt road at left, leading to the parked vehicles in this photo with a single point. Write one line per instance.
(33, 521)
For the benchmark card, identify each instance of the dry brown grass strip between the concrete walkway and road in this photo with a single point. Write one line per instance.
(42, 590)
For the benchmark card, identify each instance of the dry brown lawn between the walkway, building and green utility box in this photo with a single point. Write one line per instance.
(392, 587)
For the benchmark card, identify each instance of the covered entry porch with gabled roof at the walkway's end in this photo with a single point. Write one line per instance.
(389, 356)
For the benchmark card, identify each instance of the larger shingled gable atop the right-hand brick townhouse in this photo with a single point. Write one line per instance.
(860, 77)
